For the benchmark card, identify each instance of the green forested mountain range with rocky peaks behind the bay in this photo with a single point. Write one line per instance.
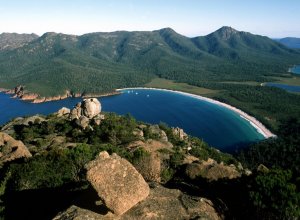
(101, 62)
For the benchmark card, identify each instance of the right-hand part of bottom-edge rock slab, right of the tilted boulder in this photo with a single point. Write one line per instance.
(164, 203)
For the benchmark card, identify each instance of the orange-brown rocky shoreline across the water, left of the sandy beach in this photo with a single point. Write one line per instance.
(22, 94)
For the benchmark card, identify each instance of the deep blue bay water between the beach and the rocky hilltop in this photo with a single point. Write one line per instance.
(217, 125)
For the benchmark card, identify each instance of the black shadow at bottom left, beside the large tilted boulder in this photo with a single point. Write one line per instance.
(47, 203)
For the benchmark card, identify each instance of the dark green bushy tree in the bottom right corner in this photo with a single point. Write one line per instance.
(275, 196)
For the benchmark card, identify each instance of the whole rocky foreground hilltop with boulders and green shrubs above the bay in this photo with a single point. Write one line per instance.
(82, 163)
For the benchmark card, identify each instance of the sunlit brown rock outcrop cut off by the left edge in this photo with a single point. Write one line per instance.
(11, 149)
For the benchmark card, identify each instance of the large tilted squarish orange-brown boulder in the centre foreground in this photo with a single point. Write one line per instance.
(117, 182)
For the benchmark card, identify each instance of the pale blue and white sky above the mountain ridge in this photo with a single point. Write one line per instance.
(273, 18)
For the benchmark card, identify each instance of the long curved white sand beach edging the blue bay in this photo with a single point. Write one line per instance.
(253, 121)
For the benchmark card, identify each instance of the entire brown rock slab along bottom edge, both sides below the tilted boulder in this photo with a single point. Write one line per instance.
(162, 203)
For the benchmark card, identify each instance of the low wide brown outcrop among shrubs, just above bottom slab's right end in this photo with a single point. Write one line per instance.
(211, 170)
